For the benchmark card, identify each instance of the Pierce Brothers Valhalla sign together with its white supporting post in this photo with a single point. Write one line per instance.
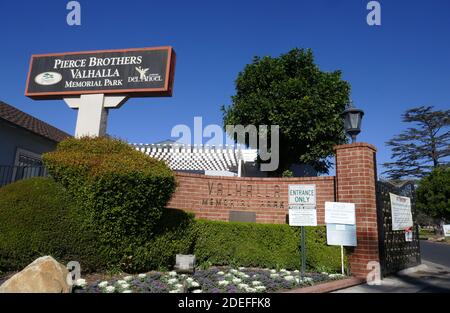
(95, 81)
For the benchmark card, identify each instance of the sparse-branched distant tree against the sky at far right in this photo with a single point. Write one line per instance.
(421, 148)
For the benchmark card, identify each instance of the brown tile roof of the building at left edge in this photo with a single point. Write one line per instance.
(24, 120)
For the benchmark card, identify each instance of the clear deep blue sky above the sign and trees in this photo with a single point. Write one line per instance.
(403, 63)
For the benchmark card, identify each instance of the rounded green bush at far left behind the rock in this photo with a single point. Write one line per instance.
(38, 218)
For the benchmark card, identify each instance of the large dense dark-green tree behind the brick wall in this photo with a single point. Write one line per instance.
(292, 92)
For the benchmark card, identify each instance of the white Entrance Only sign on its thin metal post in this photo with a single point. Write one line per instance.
(302, 212)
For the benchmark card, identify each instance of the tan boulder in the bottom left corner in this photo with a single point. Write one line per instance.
(45, 274)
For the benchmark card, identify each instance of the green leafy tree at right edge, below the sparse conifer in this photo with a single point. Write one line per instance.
(433, 194)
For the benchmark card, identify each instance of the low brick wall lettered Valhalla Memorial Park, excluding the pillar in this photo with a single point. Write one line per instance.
(214, 197)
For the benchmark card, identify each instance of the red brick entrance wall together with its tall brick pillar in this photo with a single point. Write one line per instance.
(214, 198)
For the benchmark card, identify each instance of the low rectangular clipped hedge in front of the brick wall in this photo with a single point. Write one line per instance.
(262, 245)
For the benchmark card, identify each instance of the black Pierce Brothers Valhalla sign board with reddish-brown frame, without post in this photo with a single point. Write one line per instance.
(140, 72)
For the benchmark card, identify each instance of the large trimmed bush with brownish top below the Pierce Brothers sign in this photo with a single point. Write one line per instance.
(121, 191)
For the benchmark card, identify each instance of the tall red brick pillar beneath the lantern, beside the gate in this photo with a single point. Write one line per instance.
(355, 183)
